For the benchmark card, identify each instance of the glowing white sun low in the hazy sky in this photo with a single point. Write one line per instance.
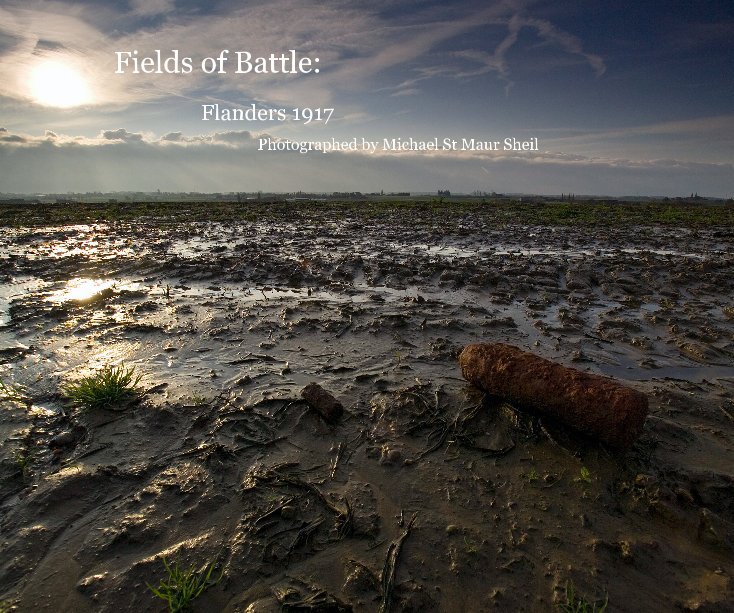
(54, 83)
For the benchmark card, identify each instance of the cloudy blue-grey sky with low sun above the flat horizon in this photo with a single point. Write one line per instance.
(623, 99)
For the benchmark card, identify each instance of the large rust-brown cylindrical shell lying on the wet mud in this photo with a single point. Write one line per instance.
(592, 404)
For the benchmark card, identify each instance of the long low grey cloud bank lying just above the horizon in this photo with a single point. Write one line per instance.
(119, 160)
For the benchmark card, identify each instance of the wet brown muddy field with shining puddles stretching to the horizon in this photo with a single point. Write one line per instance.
(425, 495)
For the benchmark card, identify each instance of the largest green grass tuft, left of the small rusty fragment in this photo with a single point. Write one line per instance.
(109, 386)
